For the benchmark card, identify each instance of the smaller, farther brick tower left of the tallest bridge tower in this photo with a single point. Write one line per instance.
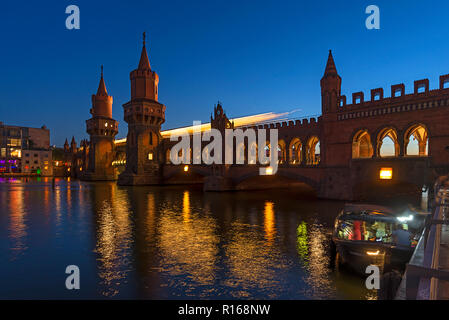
(102, 130)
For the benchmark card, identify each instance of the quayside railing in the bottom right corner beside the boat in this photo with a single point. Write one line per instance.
(426, 268)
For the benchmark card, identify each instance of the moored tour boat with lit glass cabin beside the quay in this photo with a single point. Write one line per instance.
(368, 235)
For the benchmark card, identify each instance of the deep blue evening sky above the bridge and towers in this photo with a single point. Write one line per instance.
(253, 56)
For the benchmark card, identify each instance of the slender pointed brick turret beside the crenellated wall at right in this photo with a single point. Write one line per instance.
(330, 86)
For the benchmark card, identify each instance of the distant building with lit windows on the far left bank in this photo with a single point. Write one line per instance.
(25, 150)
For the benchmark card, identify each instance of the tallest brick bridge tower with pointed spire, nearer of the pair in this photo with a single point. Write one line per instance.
(144, 115)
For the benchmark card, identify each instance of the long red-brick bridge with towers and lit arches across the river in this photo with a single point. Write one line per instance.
(340, 154)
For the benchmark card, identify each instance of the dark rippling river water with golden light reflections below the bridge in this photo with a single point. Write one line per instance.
(167, 243)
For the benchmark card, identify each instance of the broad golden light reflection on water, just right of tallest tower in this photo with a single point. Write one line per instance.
(188, 244)
